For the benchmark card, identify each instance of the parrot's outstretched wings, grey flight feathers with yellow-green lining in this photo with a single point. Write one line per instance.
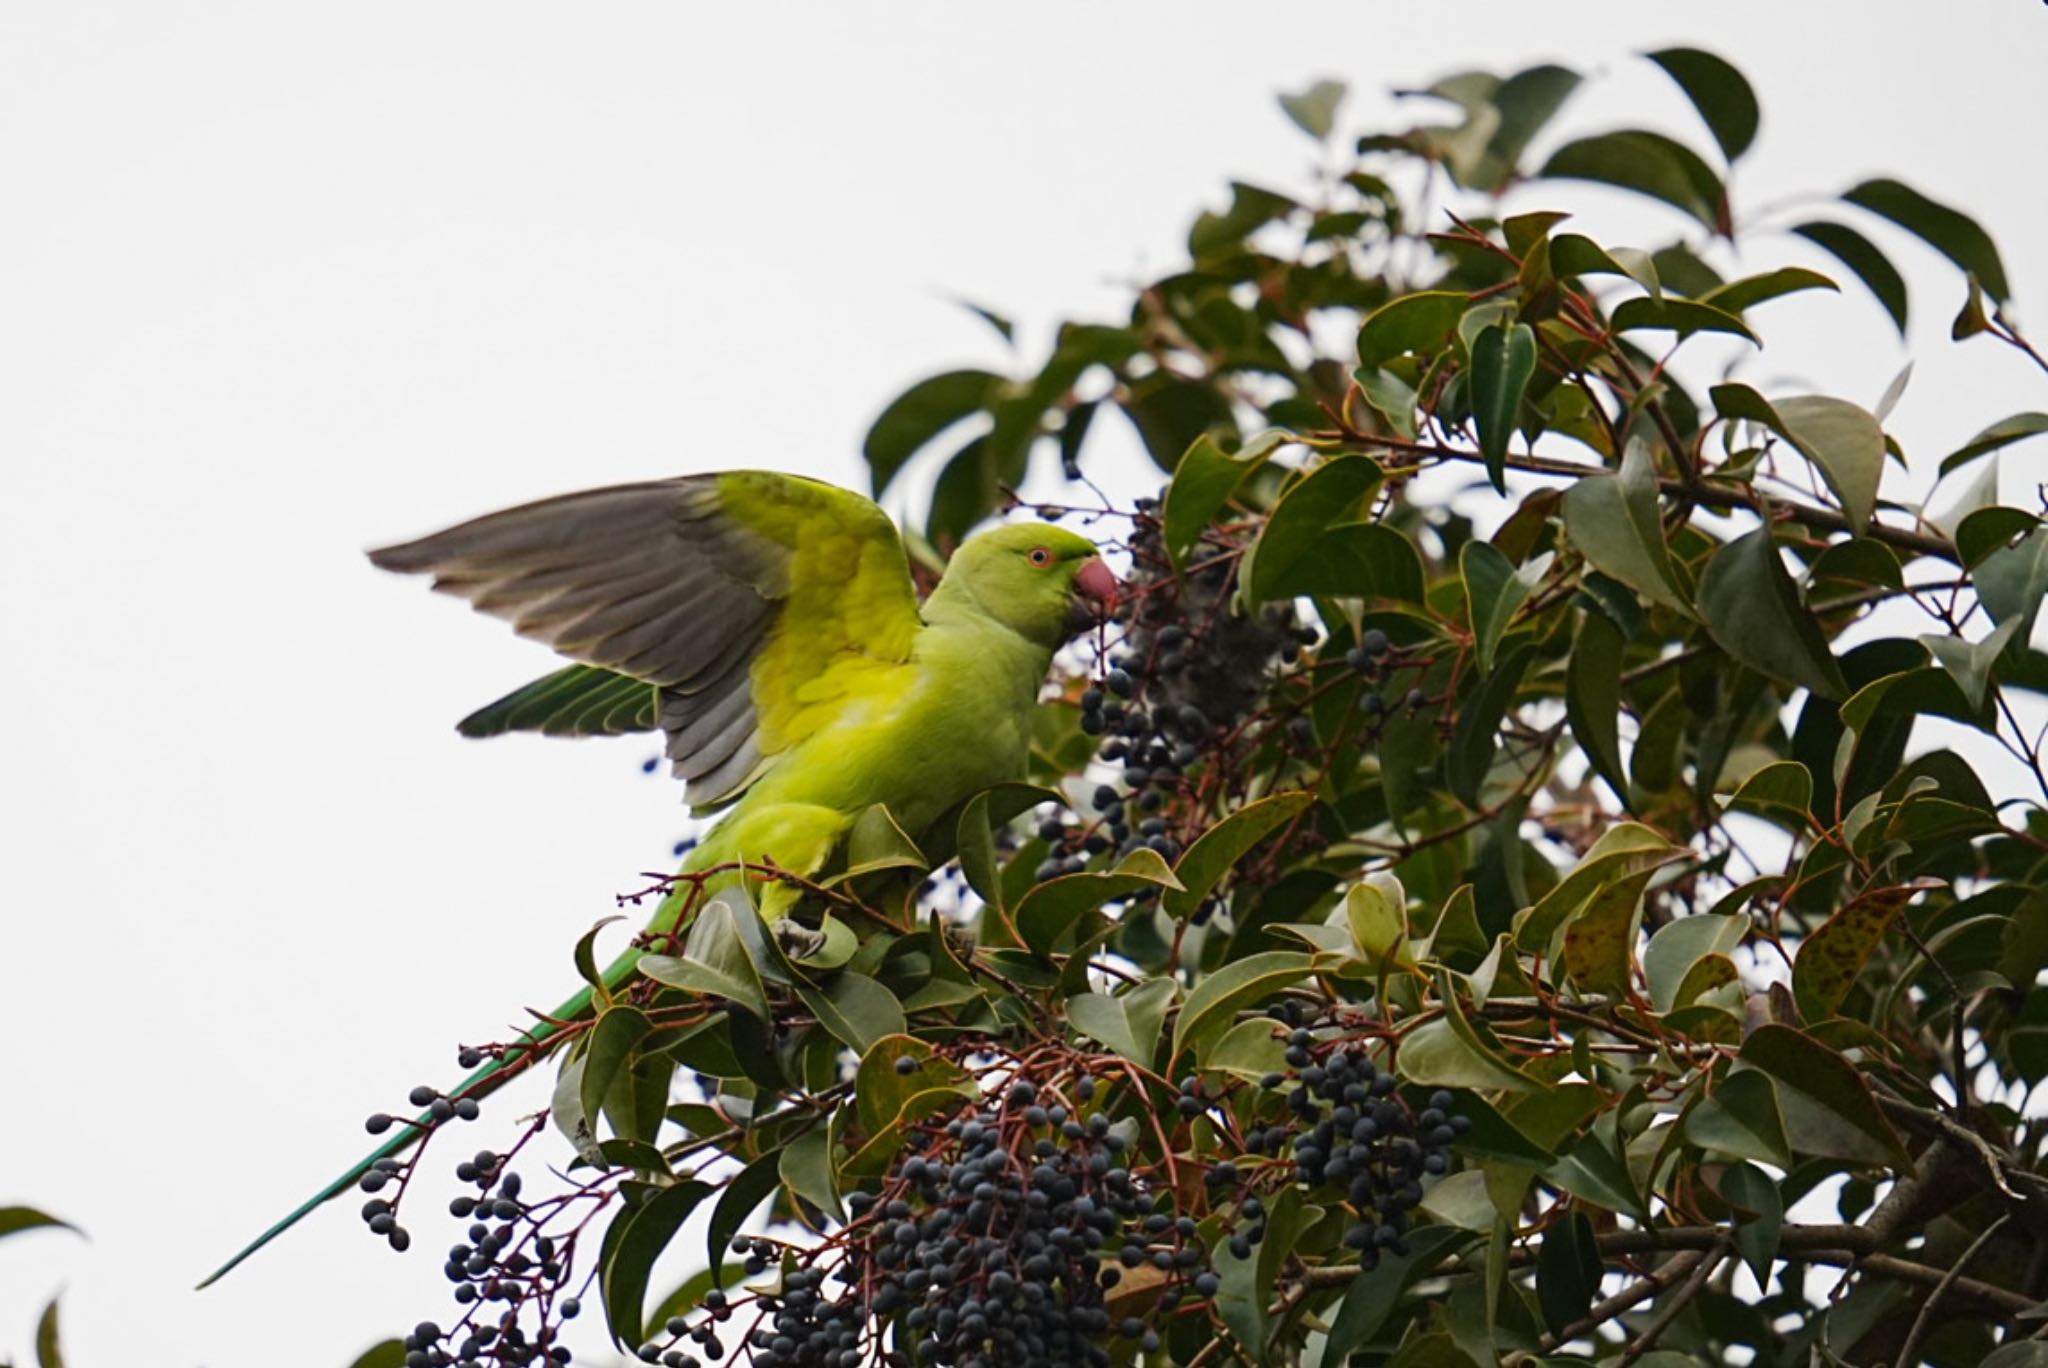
(736, 611)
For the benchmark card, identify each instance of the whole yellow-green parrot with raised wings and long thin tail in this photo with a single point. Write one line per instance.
(771, 628)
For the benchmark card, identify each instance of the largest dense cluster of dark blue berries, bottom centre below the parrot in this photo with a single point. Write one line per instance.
(998, 1242)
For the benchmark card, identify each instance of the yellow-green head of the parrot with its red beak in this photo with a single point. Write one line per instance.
(1039, 581)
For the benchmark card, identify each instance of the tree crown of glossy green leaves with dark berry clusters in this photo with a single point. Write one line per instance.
(1519, 884)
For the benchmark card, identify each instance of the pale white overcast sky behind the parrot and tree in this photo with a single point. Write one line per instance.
(284, 282)
